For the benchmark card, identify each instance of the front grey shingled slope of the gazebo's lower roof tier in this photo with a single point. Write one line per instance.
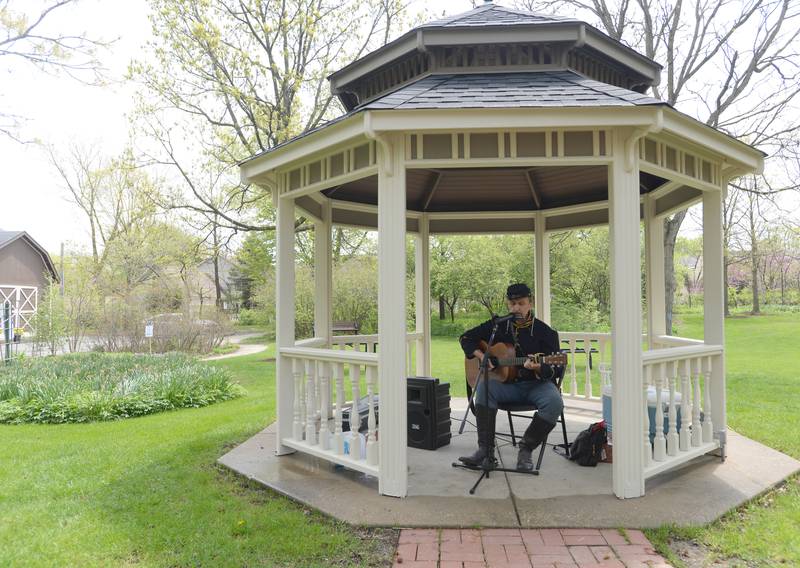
(509, 90)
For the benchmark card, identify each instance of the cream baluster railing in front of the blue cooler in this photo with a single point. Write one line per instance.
(676, 401)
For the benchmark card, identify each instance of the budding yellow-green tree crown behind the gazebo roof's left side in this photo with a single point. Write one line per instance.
(247, 75)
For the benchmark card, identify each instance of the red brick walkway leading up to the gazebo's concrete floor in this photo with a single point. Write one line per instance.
(529, 548)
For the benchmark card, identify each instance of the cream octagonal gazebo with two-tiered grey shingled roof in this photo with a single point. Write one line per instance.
(498, 120)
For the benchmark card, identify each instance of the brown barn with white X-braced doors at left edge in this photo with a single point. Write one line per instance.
(25, 271)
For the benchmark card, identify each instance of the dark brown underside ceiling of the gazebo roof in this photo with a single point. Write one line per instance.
(494, 189)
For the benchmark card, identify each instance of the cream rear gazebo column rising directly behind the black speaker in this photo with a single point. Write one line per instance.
(422, 276)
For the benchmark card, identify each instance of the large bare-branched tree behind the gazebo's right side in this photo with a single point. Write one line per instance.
(738, 61)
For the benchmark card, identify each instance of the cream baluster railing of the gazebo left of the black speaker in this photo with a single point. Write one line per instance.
(318, 376)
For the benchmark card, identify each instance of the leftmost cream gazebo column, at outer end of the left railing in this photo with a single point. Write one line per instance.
(284, 320)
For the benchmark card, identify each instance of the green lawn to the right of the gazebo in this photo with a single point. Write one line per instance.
(763, 397)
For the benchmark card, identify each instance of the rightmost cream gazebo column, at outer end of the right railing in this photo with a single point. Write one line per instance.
(713, 305)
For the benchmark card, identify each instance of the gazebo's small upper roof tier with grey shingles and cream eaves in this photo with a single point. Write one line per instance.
(493, 39)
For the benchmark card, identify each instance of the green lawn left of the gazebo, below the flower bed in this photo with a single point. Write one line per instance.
(146, 491)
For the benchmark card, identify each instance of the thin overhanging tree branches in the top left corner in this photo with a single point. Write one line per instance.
(31, 37)
